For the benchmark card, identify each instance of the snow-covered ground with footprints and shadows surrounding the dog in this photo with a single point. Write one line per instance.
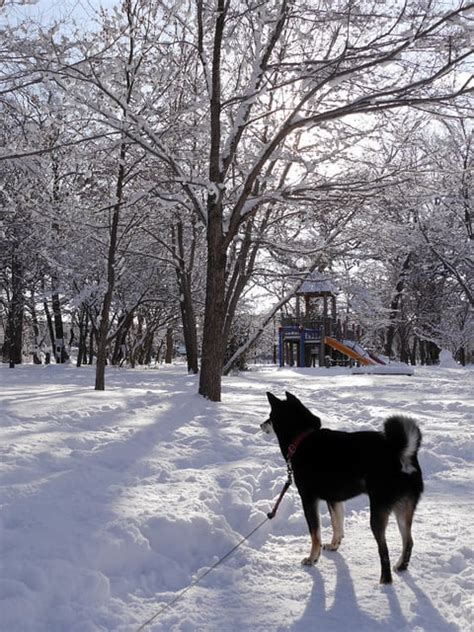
(113, 502)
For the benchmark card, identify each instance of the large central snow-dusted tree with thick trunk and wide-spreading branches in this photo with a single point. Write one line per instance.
(240, 101)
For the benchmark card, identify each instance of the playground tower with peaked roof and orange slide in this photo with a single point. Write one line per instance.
(315, 335)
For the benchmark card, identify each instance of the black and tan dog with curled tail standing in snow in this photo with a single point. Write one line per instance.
(335, 466)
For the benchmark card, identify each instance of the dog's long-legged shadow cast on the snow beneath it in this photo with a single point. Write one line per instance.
(341, 610)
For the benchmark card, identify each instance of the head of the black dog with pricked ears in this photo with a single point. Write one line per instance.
(289, 417)
